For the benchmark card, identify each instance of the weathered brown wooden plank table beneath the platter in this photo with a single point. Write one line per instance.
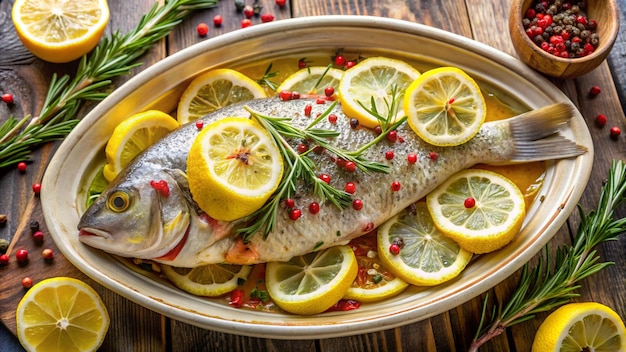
(134, 328)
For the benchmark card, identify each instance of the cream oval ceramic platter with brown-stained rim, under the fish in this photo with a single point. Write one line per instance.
(74, 164)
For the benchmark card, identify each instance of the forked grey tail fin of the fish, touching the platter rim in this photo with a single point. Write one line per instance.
(535, 134)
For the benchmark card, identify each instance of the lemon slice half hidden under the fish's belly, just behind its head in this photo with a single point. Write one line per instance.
(208, 280)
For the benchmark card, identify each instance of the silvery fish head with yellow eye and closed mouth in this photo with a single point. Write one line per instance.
(139, 216)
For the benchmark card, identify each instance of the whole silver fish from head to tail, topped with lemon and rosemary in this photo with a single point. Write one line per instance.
(133, 218)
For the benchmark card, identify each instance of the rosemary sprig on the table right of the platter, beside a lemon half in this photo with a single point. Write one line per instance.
(548, 286)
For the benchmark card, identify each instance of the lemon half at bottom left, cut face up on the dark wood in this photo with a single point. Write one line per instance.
(61, 314)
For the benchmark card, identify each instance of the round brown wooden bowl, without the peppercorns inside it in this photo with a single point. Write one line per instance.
(603, 11)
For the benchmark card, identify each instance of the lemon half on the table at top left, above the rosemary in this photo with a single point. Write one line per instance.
(58, 30)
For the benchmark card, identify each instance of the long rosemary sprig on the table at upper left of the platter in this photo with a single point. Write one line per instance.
(114, 56)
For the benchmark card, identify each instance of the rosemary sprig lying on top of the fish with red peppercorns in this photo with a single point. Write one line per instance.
(299, 167)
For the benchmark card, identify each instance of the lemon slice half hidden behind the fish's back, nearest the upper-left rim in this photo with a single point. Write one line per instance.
(214, 90)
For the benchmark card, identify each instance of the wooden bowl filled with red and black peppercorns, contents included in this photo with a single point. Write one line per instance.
(563, 38)
